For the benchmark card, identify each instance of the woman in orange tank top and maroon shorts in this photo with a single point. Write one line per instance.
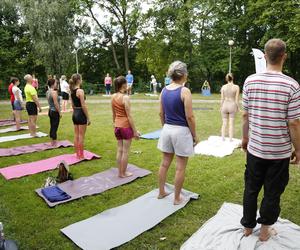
(124, 125)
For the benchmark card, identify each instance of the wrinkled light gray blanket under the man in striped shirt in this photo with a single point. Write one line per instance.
(224, 232)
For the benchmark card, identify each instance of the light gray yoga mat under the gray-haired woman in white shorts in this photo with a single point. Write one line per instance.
(119, 225)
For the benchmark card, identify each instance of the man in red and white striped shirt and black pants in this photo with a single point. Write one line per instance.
(271, 102)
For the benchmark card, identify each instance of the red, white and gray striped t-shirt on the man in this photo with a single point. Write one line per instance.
(271, 99)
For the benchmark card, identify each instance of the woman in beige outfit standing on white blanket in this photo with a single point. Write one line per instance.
(229, 105)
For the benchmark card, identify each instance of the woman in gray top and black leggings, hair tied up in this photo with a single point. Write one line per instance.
(54, 109)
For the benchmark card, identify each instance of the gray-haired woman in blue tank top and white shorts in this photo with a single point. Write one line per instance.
(178, 135)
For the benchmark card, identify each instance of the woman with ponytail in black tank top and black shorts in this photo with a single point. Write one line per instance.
(80, 114)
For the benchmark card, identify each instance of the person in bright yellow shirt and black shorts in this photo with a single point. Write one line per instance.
(32, 104)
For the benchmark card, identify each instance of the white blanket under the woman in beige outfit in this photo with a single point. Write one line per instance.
(215, 146)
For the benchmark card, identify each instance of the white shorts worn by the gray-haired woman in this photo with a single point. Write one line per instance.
(176, 139)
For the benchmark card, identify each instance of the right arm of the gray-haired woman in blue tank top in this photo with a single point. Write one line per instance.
(187, 100)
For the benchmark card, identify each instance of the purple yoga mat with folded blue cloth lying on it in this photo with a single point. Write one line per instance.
(95, 184)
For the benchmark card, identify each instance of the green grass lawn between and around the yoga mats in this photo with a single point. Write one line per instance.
(34, 225)
